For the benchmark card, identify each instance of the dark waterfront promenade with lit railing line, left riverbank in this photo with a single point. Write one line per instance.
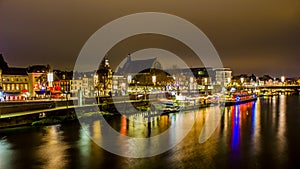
(21, 113)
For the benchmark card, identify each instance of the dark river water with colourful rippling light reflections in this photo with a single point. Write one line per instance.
(261, 134)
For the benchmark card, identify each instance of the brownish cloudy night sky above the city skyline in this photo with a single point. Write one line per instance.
(260, 37)
